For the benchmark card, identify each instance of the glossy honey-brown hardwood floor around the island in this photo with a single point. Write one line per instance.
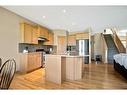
(95, 76)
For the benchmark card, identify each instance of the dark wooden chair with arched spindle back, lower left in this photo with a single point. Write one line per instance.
(7, 73)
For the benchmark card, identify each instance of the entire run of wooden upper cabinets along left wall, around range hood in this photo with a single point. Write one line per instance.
(30, 33)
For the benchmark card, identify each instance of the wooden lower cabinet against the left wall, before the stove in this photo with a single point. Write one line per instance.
(30, 61)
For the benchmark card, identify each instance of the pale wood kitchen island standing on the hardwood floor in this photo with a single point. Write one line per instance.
(59, 68)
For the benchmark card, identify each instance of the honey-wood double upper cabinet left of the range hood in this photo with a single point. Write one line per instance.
(28, 33)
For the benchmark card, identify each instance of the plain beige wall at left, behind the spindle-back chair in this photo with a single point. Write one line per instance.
(9, 35)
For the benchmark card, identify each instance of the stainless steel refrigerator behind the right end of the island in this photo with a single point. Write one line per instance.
(82, 48)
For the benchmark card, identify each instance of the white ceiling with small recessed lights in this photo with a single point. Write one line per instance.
(74, 18)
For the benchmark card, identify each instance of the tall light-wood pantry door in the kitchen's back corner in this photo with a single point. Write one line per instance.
(62, 44)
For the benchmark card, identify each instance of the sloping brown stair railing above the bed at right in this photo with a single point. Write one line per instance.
(118, 42)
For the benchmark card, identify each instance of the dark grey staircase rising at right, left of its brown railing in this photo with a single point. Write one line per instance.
(112, 49)
